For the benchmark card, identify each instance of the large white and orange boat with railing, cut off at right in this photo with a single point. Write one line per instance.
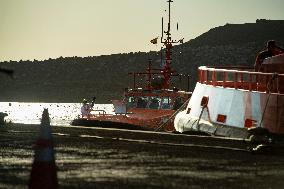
(237, 102)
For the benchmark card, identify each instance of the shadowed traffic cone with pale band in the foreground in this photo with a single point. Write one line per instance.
(44, 173)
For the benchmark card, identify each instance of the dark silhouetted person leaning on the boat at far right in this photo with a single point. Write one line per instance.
(271, 50)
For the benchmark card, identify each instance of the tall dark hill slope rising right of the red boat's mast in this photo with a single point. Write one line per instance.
(231, 44)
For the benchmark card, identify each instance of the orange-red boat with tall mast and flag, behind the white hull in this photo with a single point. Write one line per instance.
(151, 106)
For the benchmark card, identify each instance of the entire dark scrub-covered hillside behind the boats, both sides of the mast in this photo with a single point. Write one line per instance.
(71, 79)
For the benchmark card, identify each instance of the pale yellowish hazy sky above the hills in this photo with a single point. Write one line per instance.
(42, 29)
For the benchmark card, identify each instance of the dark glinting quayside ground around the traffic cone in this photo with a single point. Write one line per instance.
(110, 158)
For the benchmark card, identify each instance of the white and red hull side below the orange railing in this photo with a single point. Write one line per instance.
(233, 107)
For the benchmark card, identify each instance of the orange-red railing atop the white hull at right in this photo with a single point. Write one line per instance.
(242, 79)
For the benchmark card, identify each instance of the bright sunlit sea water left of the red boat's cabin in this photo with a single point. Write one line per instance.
(59, 113)
